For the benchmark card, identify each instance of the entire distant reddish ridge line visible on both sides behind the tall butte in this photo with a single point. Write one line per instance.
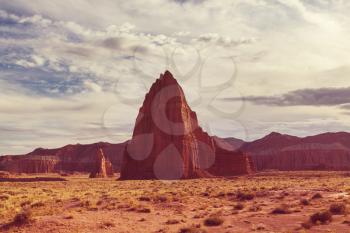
(326, 151)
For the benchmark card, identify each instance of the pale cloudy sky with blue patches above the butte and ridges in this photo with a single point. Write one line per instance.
(77, 71)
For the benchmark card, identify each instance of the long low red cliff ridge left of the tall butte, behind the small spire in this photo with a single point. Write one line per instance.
(70, 158)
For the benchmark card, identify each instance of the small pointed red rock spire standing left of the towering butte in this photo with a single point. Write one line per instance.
(103, 167)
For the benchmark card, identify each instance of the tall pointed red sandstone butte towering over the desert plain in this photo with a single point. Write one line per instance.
(168, 143)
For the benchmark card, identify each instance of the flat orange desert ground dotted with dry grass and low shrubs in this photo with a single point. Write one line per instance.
(265, 202)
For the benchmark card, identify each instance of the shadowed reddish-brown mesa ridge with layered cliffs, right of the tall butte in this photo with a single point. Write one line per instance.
(328, 151)
